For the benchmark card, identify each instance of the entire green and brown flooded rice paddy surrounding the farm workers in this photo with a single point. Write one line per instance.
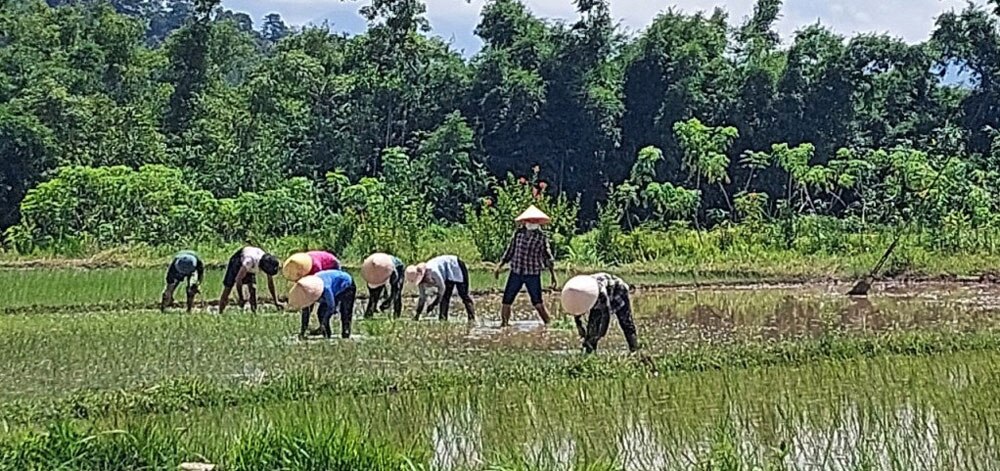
(794, 376)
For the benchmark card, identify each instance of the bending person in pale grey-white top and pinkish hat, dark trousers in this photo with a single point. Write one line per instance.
(444, 274)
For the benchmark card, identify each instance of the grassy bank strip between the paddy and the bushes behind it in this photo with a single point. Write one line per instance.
(818, 249)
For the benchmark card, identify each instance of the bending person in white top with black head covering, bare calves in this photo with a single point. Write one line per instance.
(242, 270)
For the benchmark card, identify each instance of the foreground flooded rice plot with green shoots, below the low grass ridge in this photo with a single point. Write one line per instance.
(901, 413)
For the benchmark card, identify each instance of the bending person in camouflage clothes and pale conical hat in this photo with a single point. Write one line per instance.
(598, 296)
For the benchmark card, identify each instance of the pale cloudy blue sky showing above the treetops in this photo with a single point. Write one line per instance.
(455, 20)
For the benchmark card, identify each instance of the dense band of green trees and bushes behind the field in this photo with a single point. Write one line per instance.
(159, 122)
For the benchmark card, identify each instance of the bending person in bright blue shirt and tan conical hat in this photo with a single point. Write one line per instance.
(331, 291)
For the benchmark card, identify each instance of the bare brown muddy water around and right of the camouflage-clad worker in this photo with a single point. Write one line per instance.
(668, 317)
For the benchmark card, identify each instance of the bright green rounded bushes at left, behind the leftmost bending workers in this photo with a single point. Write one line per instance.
(155, 205)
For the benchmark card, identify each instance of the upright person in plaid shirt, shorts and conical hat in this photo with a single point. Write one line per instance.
(528, 254)
